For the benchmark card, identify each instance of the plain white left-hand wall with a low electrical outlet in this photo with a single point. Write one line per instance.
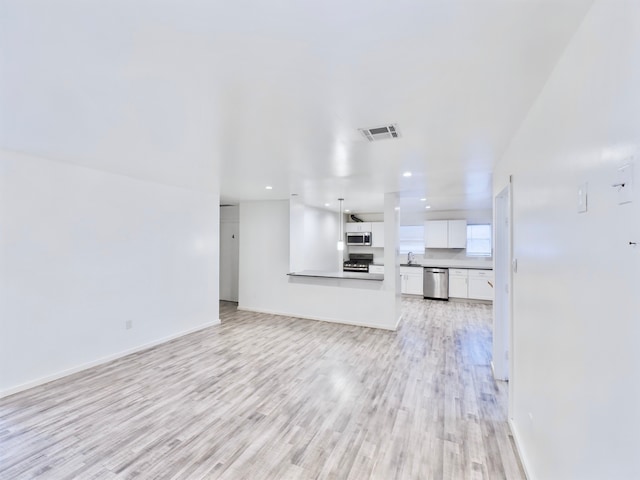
(82, 252)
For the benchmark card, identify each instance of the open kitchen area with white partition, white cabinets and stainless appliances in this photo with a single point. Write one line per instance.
(307, 275)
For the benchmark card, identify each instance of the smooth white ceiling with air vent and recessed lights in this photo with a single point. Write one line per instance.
(251, 93)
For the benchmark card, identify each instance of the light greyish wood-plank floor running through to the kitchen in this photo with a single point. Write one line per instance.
(268, 397)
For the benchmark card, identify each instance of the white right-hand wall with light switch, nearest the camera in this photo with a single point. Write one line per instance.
(576, 372)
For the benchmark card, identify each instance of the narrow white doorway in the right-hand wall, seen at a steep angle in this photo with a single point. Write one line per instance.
(503, 289)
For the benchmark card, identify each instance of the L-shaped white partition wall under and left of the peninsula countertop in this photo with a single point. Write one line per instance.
(265, 286)
